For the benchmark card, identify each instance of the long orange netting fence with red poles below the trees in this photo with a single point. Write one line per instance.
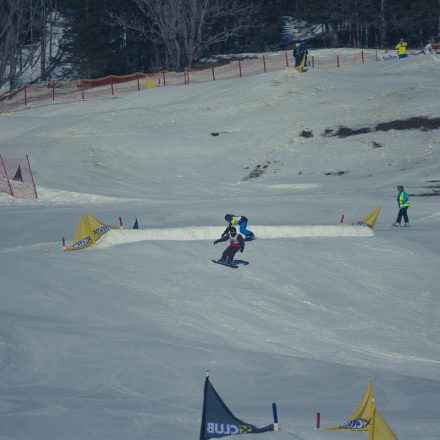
(113, 85)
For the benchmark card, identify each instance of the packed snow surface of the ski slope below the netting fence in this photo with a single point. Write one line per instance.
(113, 342)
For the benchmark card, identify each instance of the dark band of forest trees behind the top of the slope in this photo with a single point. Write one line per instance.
(94, 38)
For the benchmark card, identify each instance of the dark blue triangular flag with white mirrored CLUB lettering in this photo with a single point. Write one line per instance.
(218, 420)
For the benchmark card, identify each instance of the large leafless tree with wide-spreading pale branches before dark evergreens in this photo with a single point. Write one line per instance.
(187, 29)
